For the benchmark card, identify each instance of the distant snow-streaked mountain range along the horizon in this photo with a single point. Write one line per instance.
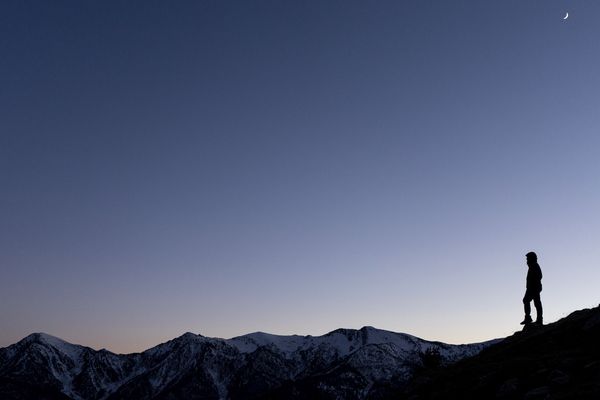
(345, 363)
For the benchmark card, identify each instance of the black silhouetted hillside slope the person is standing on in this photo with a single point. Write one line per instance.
(557, 361)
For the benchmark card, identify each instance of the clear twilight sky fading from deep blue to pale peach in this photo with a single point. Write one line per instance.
(224, 167)
